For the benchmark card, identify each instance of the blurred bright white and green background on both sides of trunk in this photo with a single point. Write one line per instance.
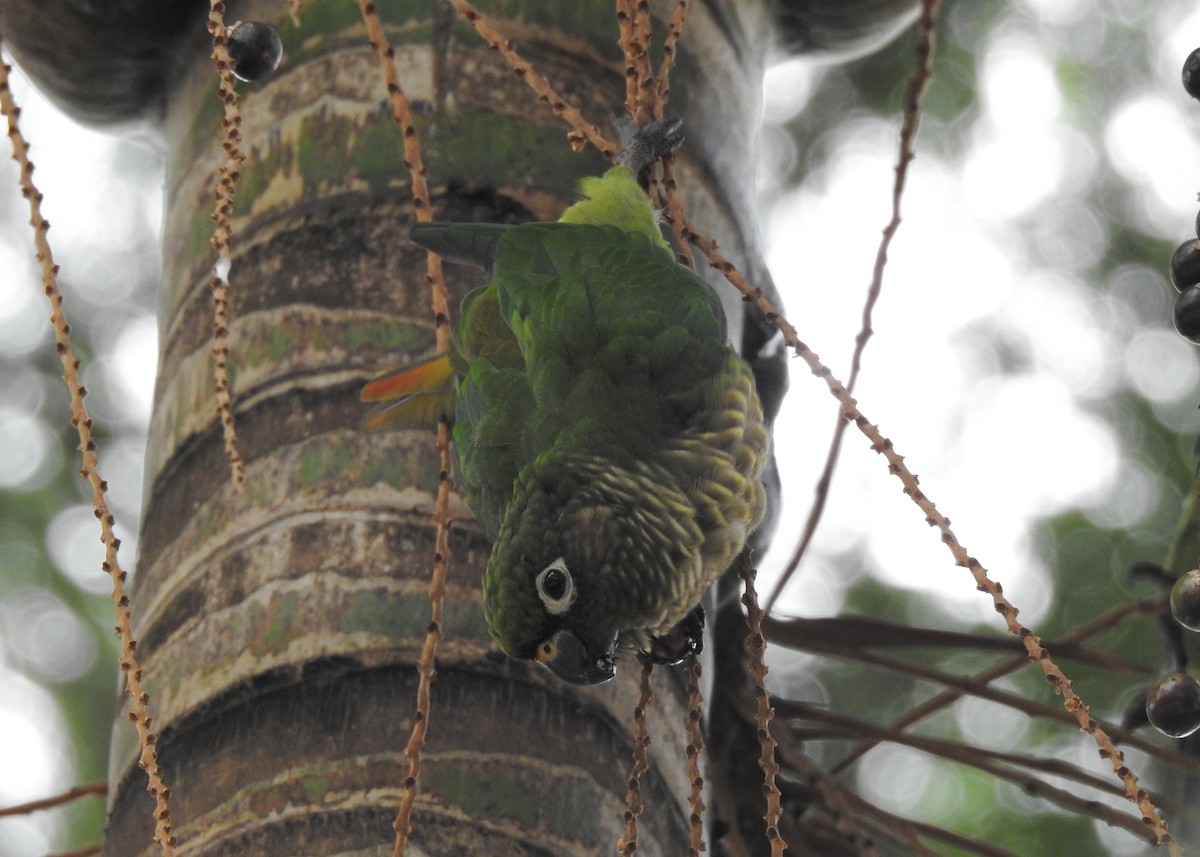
(1024, 362)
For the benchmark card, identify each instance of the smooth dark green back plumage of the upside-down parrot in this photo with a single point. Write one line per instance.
(604, 319)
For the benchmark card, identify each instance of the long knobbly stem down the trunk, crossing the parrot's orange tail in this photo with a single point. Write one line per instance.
(403, 113)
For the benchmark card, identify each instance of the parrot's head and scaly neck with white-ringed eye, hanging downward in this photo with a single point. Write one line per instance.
(578, 571)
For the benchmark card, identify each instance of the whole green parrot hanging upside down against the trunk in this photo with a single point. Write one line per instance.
(608, 438)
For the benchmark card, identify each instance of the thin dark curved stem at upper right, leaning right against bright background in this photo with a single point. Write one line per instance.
(917, 86)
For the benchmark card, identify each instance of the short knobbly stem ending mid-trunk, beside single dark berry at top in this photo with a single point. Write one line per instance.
(223, 237)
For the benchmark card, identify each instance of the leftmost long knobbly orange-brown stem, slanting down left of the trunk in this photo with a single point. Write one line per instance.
(140, 715)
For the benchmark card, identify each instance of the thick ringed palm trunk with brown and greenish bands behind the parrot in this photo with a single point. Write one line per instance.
(280, 628)
